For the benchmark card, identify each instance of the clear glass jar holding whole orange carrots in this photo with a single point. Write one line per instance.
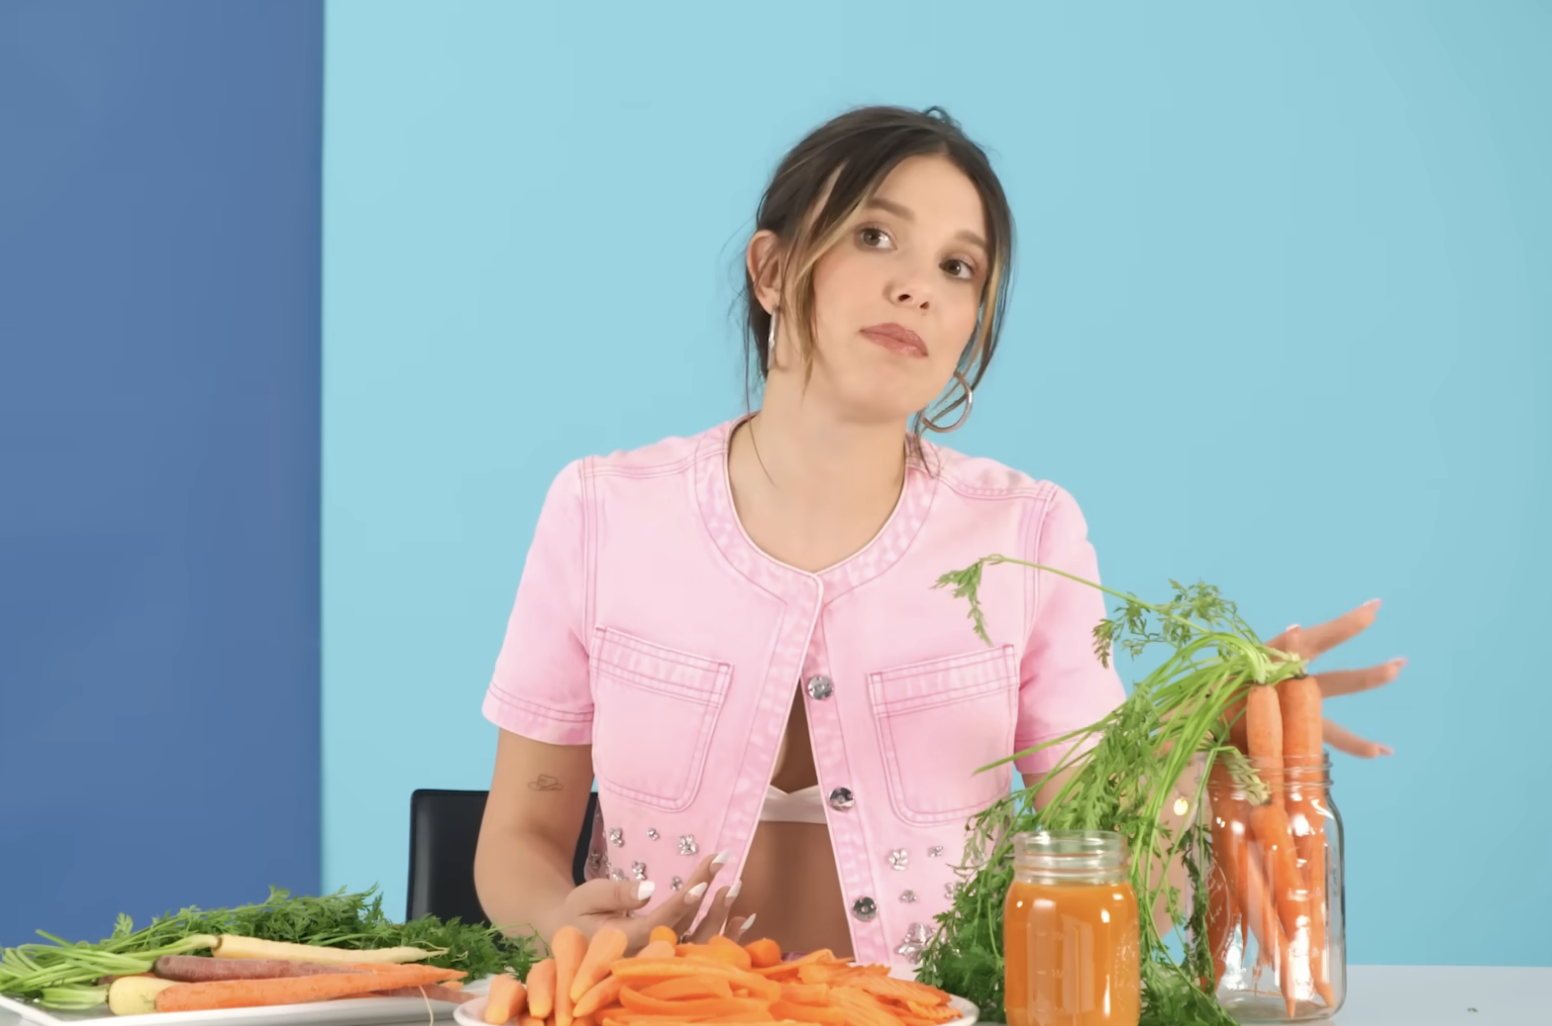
(1278, 851)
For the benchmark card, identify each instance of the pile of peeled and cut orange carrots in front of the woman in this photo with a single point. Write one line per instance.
(592, 983)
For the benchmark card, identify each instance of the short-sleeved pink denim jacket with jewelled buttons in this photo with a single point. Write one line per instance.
(650, 626)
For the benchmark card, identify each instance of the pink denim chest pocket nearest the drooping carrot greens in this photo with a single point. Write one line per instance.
(938, 723)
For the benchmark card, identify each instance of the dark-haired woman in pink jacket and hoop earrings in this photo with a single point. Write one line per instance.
(736, 634)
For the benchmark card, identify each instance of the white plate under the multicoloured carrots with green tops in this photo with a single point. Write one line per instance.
(336, 1013)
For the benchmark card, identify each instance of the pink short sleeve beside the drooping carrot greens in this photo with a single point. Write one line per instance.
(1062, 684)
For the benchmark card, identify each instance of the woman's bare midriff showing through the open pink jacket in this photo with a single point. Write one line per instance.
(791, 879)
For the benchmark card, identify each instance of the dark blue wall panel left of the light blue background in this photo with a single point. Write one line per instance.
(159, 457)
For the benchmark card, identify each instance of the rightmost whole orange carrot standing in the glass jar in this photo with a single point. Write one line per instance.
(1304, 754)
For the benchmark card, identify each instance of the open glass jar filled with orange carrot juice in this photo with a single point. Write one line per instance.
(1070, 932)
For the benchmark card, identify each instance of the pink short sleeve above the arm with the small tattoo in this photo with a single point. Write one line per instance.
(541, 684)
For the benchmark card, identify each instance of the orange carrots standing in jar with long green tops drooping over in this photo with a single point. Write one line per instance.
(1222, 704)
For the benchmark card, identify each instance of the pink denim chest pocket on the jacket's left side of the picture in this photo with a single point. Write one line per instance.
(654, 715)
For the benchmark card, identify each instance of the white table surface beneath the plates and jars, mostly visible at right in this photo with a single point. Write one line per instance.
(1415, 996)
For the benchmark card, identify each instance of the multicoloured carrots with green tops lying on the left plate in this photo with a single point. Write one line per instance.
(279, 952)
